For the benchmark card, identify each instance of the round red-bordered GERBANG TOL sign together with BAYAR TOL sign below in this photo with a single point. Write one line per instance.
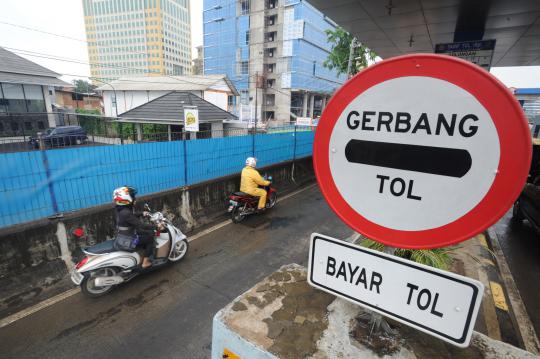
(418, 151)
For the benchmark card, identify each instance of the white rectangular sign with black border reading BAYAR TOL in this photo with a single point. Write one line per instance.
(436, 302)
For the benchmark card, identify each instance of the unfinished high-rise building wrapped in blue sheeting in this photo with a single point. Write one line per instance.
(273, 51)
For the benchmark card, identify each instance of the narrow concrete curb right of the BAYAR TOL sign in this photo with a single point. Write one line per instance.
(522, 322)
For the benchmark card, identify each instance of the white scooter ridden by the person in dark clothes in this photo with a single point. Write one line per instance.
(104, 267)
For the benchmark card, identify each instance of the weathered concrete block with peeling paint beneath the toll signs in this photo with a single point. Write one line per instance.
(283, 317)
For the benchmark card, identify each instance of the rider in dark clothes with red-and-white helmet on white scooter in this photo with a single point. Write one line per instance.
(130, 224)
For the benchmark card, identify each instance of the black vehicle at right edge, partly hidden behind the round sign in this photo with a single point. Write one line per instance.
(527, 205)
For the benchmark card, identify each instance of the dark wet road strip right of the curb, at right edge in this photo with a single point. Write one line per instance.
(521, 247)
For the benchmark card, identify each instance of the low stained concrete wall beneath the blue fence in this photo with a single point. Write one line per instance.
(35, 259)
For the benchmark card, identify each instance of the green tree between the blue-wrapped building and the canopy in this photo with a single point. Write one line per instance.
(338, 58)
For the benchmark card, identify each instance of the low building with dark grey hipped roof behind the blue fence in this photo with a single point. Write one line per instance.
(169, 110)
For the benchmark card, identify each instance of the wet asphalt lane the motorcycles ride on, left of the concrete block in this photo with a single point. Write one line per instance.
(168, 313)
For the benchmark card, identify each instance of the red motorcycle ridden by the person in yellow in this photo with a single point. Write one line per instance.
(242, 204)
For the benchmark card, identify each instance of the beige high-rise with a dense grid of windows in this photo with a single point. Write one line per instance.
(136, 37)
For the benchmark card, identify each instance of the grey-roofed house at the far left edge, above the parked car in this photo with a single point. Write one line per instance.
(24, 95)
